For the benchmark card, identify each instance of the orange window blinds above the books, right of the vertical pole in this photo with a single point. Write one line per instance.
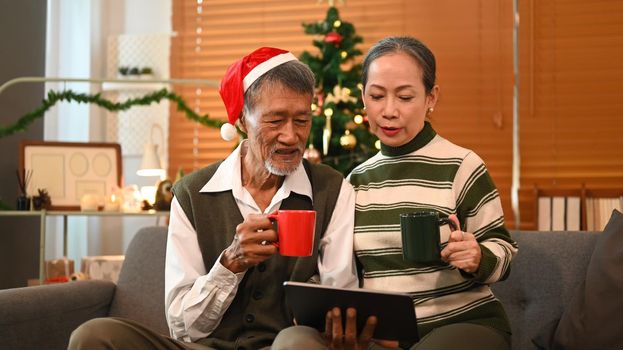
(570, 109)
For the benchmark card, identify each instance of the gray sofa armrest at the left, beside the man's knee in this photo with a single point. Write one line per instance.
(43, 317)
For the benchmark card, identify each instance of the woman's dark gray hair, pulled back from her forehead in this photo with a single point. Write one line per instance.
(412, 47)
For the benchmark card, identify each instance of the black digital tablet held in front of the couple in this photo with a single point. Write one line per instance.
(394, 311)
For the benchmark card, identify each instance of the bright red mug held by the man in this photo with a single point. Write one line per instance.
(295, 229)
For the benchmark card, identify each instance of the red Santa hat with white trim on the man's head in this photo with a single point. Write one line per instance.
(240, 75)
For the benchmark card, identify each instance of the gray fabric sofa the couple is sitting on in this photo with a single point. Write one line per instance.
(543, 278)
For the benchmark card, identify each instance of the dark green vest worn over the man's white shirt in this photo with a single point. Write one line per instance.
(258, 311)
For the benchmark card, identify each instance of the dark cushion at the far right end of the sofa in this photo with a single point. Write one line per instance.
(593, 319)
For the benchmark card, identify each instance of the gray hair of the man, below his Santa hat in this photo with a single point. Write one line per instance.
(293, 75)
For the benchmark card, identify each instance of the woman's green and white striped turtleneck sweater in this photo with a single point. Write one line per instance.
(432, 173)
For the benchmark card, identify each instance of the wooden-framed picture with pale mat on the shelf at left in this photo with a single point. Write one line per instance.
(69, 170)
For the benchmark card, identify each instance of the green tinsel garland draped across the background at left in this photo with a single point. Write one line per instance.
(68, 95)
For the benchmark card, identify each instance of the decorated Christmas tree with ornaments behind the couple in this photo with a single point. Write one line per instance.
(339, 136)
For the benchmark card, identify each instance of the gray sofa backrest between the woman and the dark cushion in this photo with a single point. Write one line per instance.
(543, 276)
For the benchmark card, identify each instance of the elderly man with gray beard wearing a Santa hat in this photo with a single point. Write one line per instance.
(223, 284)
